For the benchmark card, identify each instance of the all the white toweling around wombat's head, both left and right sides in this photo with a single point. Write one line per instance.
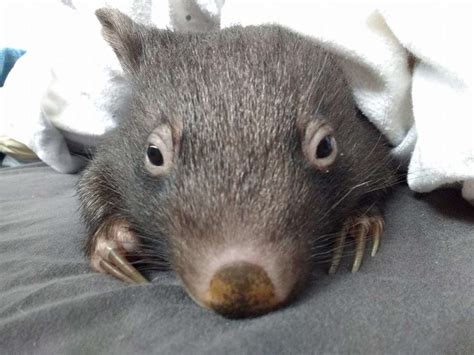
(426, 113)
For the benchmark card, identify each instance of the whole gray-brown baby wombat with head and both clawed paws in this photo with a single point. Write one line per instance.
(242, 157)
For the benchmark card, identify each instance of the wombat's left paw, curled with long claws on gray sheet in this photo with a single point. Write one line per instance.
(112, 241)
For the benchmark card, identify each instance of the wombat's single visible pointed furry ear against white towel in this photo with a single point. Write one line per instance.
(124, 36)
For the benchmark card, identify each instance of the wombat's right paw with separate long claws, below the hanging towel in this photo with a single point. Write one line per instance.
(359, 228)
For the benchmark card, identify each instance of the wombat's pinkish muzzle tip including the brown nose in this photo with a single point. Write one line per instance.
(244, 281)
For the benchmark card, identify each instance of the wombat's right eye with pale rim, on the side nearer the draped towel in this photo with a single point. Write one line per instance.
(319, 145)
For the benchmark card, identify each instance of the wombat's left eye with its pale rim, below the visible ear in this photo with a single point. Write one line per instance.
(159, 151)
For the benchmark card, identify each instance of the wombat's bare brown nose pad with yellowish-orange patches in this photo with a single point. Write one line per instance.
(241, 290)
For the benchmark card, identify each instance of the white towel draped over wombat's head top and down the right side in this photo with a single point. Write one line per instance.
(425, 108)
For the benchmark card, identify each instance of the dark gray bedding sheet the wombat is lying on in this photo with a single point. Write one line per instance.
(416, 296)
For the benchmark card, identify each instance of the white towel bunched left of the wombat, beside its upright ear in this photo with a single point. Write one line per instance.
(68, 89)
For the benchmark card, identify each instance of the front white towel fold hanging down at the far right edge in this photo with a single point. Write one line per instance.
(441, 93)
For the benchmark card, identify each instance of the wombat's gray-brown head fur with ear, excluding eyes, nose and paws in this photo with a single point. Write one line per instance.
(238, 100)
